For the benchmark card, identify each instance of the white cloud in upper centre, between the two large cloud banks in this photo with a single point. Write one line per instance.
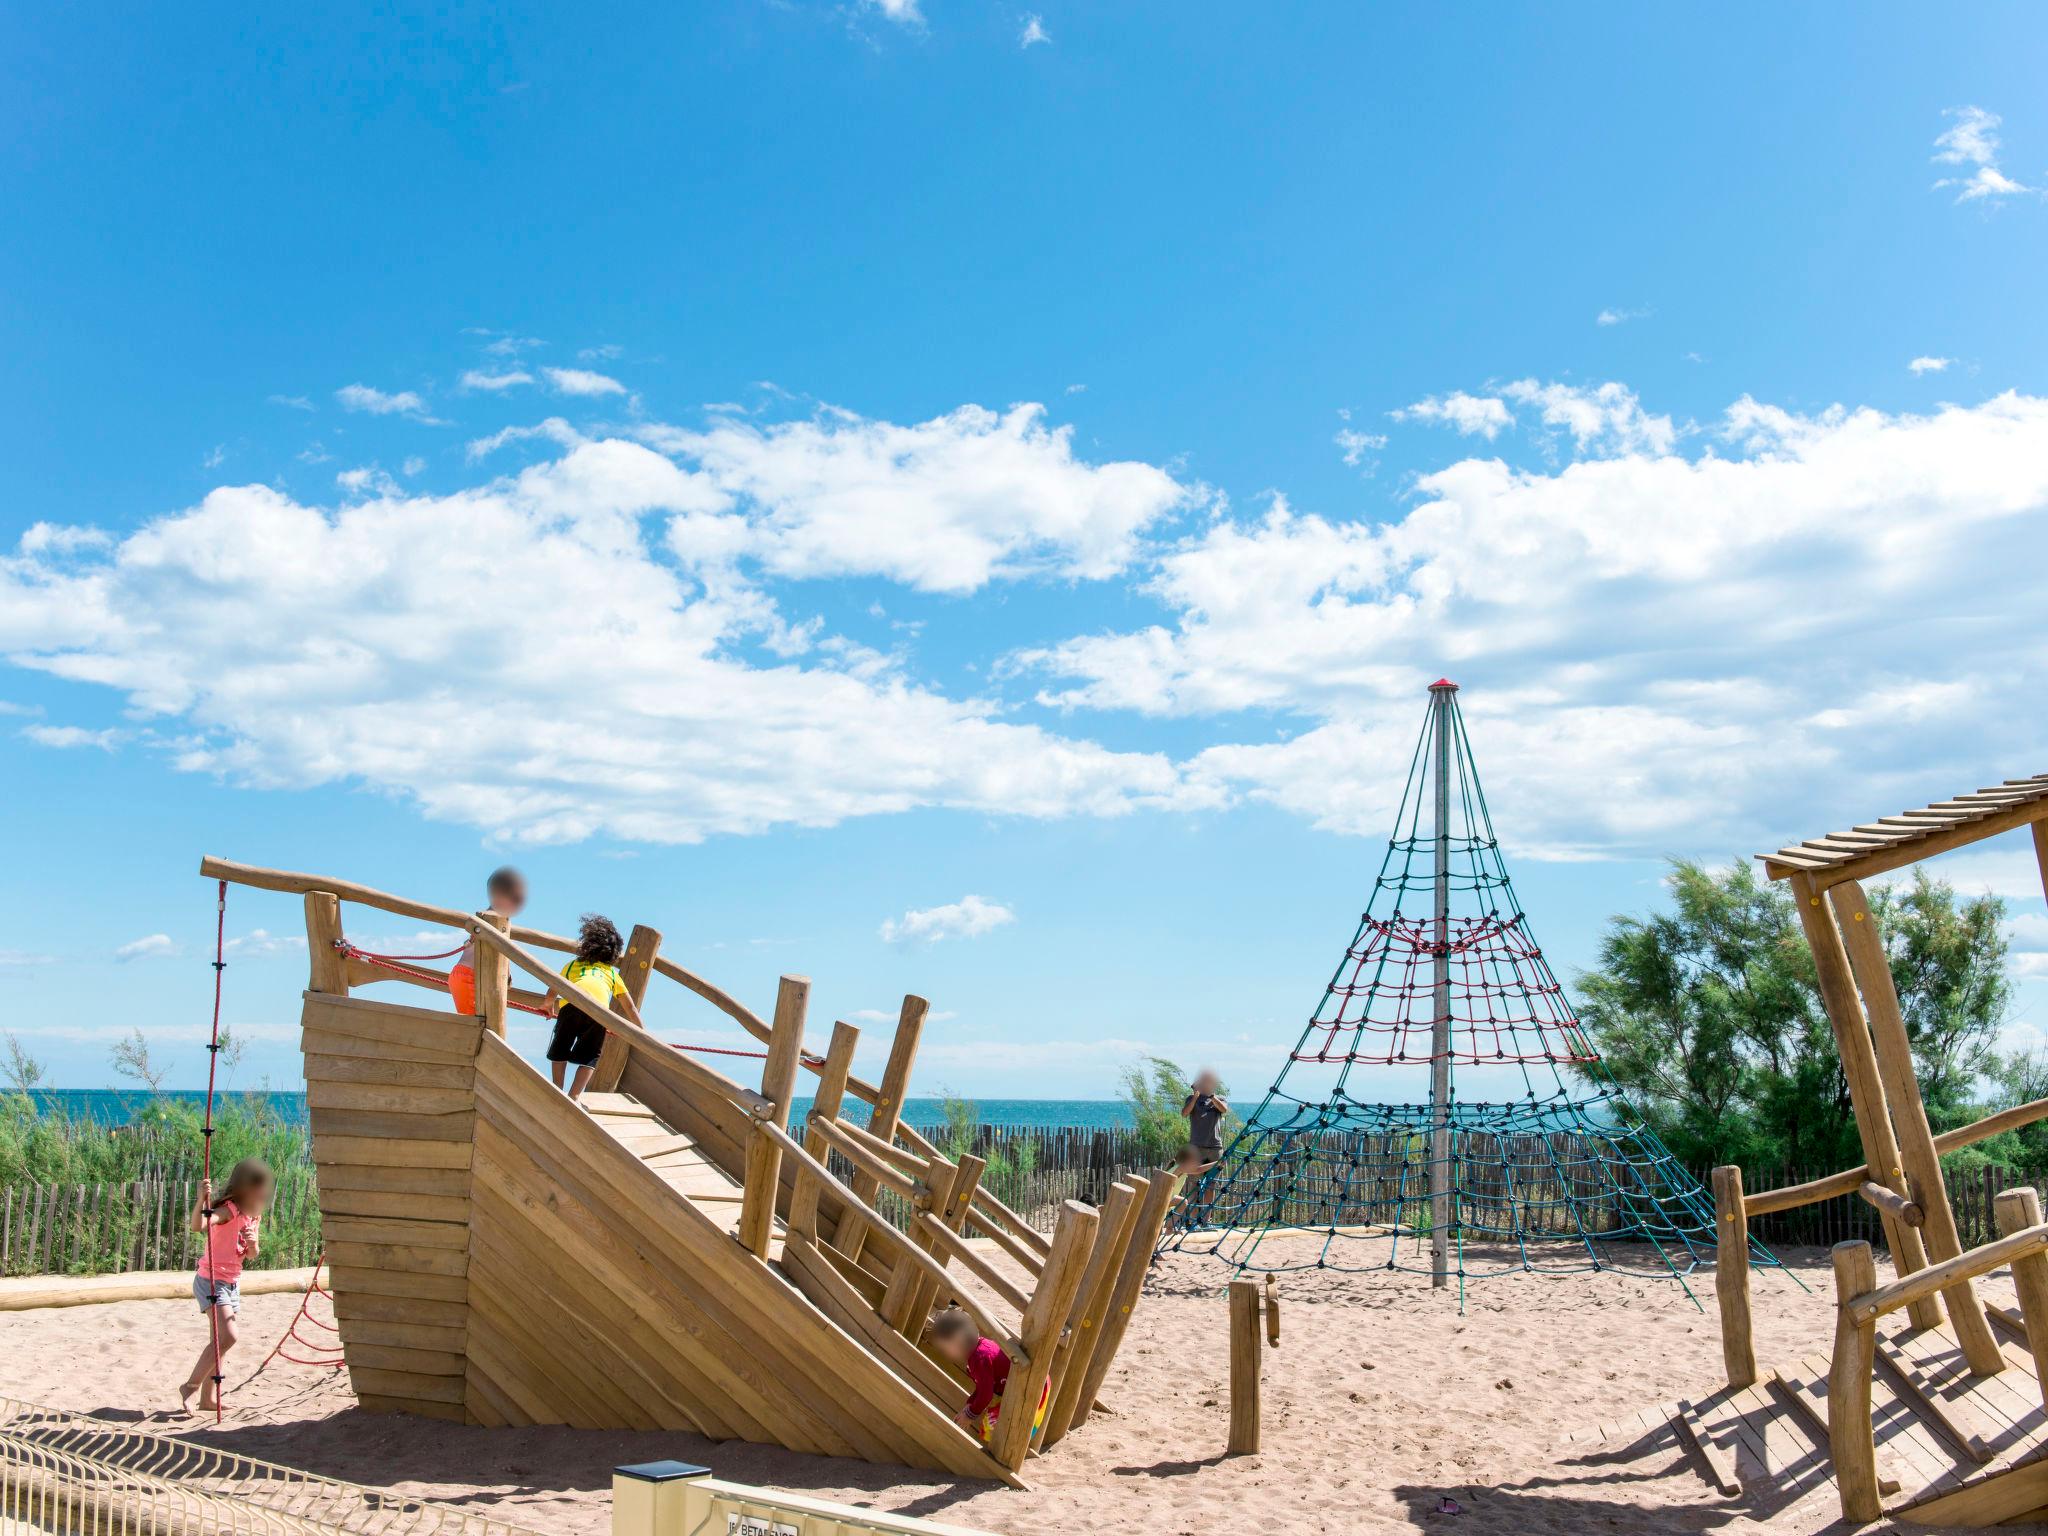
(945, 505)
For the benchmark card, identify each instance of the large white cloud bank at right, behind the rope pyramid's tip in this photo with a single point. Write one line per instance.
(1660, 648)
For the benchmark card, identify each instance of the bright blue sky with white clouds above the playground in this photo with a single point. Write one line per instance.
(968, 499)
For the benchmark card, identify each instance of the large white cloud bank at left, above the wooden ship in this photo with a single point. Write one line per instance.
(374, 644)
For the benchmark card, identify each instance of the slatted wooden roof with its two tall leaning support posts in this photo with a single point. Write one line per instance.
(1857, 988)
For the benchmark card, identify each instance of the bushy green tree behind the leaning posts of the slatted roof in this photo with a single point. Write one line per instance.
(1709, 1015)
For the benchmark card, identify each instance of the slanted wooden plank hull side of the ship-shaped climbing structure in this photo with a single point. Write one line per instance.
(499, 1256)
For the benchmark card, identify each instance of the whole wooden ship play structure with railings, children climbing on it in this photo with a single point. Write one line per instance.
(681, 1256)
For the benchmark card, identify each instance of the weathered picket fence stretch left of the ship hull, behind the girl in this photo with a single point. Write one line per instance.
(140, 1226)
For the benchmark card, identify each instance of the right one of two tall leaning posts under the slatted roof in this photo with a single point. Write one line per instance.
(1910, 1119)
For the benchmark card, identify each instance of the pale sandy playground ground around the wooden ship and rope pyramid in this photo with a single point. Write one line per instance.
(1381, 1402)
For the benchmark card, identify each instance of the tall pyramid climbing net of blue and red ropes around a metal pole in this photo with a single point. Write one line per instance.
(1541, 1168)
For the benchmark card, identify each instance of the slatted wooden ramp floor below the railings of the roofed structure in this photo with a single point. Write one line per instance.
(1953, 1449)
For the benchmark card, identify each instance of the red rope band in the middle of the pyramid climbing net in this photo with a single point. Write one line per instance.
(1504, 1002)
